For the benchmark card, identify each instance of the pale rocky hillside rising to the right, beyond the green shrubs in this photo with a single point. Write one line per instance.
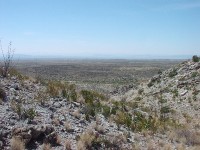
(173, 96)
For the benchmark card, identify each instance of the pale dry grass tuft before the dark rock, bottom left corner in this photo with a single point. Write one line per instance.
(17, 144)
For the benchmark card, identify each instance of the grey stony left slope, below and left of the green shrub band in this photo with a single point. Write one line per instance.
(59, 121)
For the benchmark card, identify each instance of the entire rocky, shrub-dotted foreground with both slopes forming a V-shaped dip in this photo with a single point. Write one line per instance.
(163, 113)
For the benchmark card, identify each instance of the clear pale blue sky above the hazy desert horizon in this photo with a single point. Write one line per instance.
(101, 28)
